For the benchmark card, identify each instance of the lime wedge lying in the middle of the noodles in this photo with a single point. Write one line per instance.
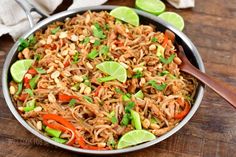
(114, 69)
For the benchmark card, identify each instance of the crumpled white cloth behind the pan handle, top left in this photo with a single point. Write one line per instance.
(13, 19)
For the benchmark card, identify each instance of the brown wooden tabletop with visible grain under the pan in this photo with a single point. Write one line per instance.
(211, 25)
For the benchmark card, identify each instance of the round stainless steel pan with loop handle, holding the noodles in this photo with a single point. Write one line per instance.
(145, 18)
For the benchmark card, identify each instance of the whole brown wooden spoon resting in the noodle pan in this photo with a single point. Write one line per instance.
(217, 86)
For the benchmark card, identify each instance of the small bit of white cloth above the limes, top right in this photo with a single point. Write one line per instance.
(179, 4)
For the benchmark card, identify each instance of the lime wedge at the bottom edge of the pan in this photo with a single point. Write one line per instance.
(135, 137)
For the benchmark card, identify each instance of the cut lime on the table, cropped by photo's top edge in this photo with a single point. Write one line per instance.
(155, 7)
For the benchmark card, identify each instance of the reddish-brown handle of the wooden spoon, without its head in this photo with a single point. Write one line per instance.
(217, 86)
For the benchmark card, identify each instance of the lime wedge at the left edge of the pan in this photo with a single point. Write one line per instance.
(19, 68)
